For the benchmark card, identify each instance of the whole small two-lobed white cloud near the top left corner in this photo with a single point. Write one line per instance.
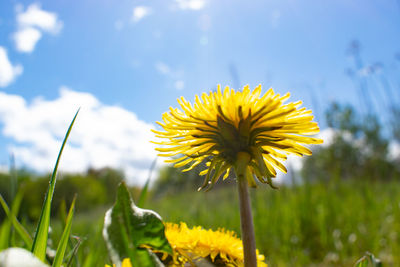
(31, 24)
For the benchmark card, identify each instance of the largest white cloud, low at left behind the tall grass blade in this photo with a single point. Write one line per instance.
(102, 136)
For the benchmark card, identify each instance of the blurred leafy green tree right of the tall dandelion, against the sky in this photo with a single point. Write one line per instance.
(358, 151)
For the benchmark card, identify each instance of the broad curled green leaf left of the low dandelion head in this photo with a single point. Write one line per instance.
(129, 231)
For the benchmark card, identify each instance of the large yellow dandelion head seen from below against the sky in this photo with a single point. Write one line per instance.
(224, 128)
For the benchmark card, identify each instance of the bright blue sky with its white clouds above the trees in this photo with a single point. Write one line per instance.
(134, 59)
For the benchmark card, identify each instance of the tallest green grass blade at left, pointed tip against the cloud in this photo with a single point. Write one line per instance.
(40, 241)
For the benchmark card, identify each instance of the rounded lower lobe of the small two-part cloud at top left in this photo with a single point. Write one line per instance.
(26, 39)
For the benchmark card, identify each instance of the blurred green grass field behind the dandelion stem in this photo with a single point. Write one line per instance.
(304, 225)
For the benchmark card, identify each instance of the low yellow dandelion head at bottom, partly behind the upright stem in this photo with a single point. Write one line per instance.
(190, 244)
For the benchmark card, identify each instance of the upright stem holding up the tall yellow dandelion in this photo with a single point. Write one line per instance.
(246, 218)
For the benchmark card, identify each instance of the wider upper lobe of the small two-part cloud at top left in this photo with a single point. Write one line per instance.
(34, 16)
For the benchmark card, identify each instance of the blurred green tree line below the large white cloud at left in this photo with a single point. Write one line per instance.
(96, 187)
